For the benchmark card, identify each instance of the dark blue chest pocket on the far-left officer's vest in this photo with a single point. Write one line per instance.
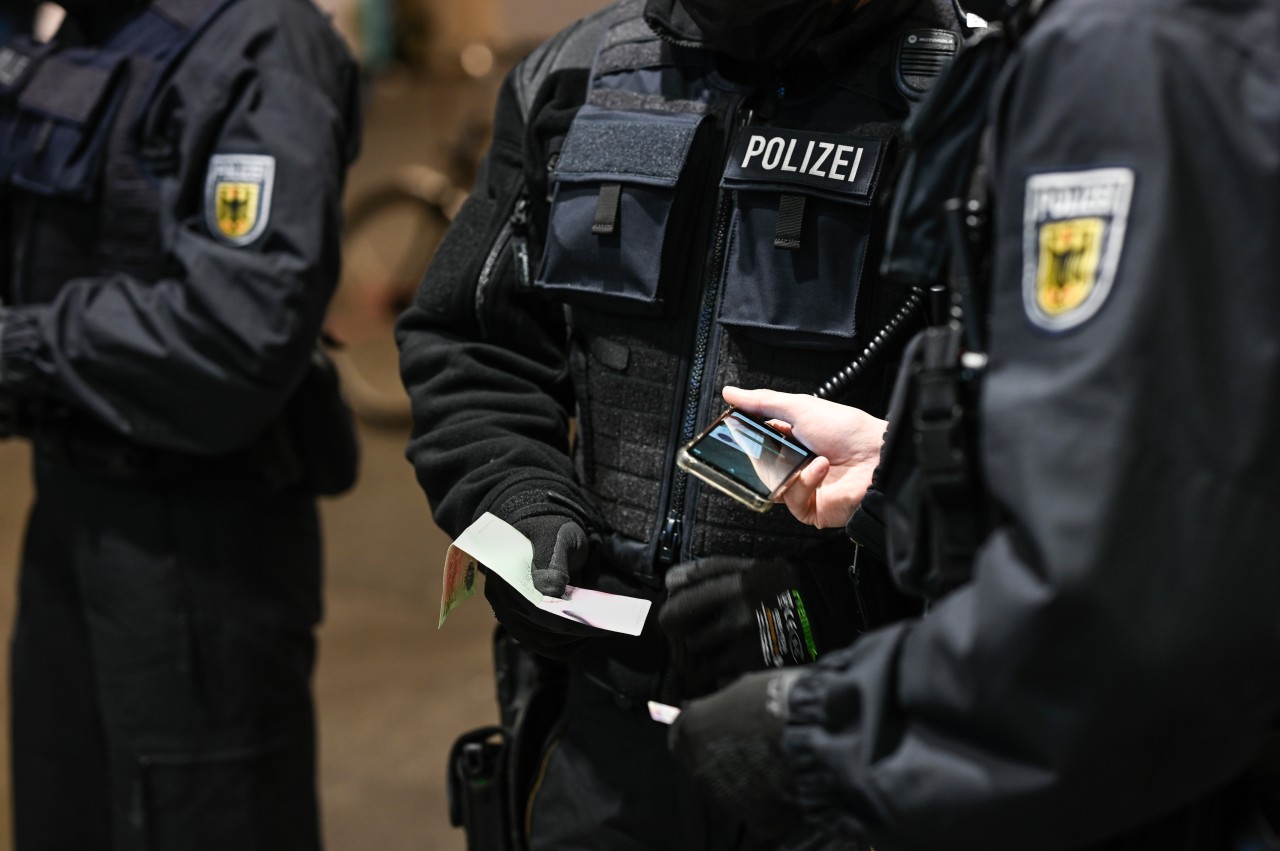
(57, 116)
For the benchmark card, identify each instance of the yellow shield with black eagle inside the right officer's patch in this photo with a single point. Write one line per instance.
(1068, 267)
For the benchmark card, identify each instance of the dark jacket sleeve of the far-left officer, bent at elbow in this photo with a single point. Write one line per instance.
(204, 362)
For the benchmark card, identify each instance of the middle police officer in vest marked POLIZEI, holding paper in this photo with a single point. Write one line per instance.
(679, 195)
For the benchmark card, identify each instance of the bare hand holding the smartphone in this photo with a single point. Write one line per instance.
(847, 440)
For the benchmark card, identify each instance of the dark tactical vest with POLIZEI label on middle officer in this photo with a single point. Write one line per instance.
(707, 232)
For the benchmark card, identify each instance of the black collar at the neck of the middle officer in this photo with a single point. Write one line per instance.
(829, 49)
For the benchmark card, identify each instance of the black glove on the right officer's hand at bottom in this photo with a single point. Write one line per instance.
(732, 744)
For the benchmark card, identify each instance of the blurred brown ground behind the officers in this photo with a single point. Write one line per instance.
(392, 690)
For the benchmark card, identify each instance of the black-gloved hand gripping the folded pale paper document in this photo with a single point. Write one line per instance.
(556, 528)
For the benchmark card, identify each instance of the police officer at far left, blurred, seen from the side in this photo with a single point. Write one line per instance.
(171, 177)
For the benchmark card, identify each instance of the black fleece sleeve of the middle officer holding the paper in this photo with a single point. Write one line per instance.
(483, 358)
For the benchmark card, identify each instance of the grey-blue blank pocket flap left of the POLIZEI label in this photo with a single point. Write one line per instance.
(627, 148)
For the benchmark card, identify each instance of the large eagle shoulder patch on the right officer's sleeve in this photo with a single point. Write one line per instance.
(1075, 227)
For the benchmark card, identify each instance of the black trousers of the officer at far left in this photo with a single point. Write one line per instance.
(162, 666)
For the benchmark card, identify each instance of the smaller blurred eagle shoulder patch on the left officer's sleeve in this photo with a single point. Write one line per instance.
(239, 196)
